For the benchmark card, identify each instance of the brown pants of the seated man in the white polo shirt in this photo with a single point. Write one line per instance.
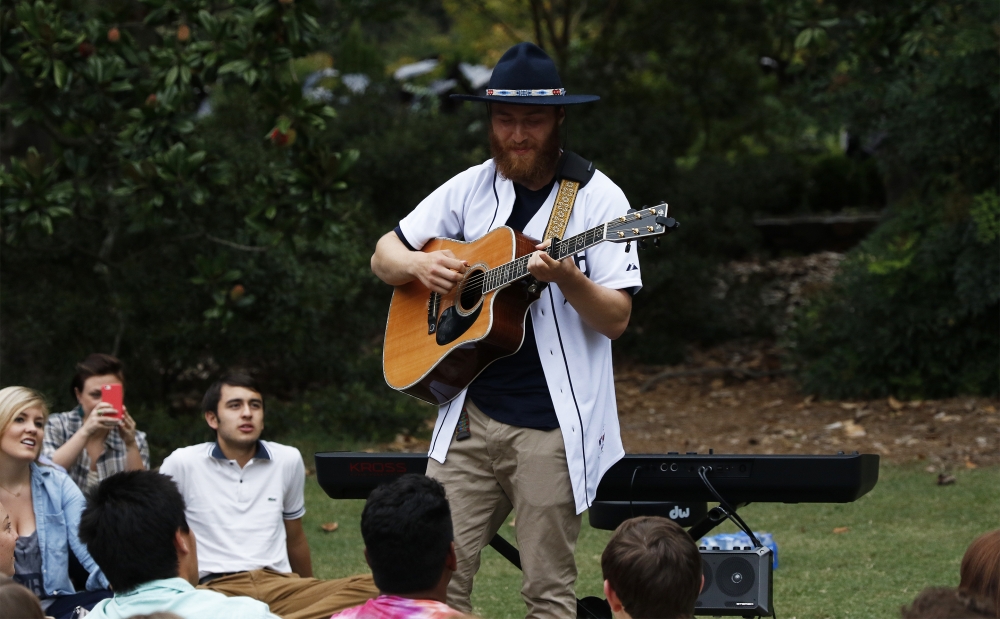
(293, 597)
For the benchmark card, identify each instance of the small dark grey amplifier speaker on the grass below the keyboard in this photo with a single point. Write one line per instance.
(737, 583)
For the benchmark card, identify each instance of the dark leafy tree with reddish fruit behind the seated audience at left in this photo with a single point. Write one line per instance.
(172, 197)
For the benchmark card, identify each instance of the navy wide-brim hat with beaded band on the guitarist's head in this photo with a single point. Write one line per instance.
(525, 75)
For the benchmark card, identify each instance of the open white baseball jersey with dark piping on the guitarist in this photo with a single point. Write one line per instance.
(575, 358)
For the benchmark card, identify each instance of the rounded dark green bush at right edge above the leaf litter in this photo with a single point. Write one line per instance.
(913, 312)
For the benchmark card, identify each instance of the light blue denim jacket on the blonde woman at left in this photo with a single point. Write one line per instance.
(58, 504)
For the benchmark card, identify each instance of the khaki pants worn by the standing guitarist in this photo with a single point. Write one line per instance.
(503, 467)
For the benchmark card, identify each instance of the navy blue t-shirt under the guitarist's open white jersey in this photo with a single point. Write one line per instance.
(513, 390)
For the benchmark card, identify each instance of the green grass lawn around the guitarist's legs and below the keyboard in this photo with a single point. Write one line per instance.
(907, 534)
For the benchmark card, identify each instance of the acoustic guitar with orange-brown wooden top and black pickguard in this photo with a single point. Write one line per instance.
(436, 344)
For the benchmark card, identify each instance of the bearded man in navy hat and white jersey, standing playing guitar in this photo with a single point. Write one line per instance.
(536, 430)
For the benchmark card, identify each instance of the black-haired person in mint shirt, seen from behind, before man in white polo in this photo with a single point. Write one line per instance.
(134, 527)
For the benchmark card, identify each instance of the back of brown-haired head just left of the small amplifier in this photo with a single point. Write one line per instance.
(652, 569)
